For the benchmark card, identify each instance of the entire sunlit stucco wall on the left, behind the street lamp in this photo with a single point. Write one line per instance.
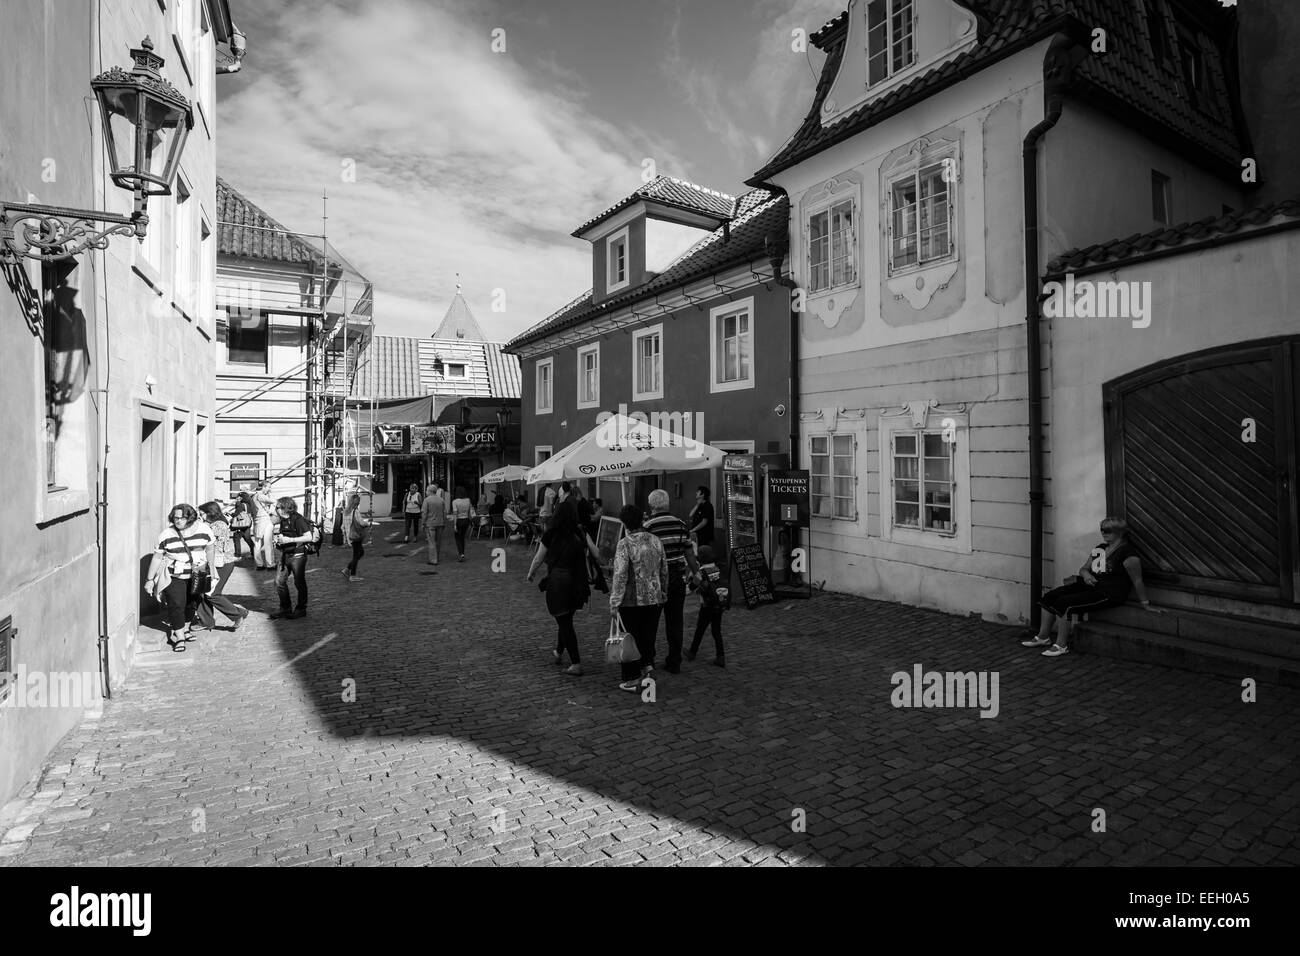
(49, 578)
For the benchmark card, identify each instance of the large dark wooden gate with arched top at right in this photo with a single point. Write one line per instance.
(1210, 509)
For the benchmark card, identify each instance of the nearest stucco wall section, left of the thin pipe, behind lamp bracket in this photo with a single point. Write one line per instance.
(47, 574)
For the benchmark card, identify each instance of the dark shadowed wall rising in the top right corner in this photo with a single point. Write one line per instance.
(1269, 67)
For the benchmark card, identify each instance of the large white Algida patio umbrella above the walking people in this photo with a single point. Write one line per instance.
(625, 447)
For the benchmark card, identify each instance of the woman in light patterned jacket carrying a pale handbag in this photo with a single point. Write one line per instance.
(638, 592)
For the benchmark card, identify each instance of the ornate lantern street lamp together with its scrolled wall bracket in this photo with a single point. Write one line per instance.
(146, 123)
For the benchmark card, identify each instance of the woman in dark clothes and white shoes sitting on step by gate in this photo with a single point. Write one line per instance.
(1106, 581)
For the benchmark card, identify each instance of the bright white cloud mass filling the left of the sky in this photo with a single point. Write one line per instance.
(465, 161)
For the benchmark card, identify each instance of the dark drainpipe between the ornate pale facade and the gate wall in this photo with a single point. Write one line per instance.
(1058, 67)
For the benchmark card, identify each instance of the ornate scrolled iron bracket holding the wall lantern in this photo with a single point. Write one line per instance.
(51, 233)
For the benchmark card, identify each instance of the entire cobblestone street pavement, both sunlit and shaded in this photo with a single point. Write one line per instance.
(466, 746)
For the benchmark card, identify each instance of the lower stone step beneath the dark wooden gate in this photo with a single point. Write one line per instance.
(1108, 639)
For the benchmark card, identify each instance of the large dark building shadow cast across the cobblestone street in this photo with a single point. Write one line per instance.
(796, 746)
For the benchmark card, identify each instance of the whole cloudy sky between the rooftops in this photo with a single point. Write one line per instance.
(483, 163)
